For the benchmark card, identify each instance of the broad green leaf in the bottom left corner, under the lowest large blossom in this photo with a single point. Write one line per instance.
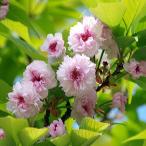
(12, 127)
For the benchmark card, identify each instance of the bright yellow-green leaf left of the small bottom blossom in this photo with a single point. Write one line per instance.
(29, 136)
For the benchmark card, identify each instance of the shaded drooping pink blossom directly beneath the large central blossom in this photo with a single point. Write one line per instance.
(84, 105)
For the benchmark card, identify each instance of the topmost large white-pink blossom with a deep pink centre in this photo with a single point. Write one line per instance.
(83, 37)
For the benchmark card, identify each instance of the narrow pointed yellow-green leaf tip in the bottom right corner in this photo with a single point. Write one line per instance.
(140, 136)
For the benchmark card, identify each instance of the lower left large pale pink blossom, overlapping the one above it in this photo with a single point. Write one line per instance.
(24, 101)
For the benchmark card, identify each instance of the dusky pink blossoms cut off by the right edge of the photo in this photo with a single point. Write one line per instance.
(136, 68)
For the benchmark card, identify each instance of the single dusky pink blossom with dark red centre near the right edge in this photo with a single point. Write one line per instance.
(134, 68)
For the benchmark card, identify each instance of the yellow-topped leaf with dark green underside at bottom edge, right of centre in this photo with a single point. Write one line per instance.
(79, 137)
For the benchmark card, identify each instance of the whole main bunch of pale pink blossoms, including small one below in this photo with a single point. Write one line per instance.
(76, 75)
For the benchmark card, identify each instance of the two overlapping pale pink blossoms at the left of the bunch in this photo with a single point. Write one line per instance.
(25, 99)
